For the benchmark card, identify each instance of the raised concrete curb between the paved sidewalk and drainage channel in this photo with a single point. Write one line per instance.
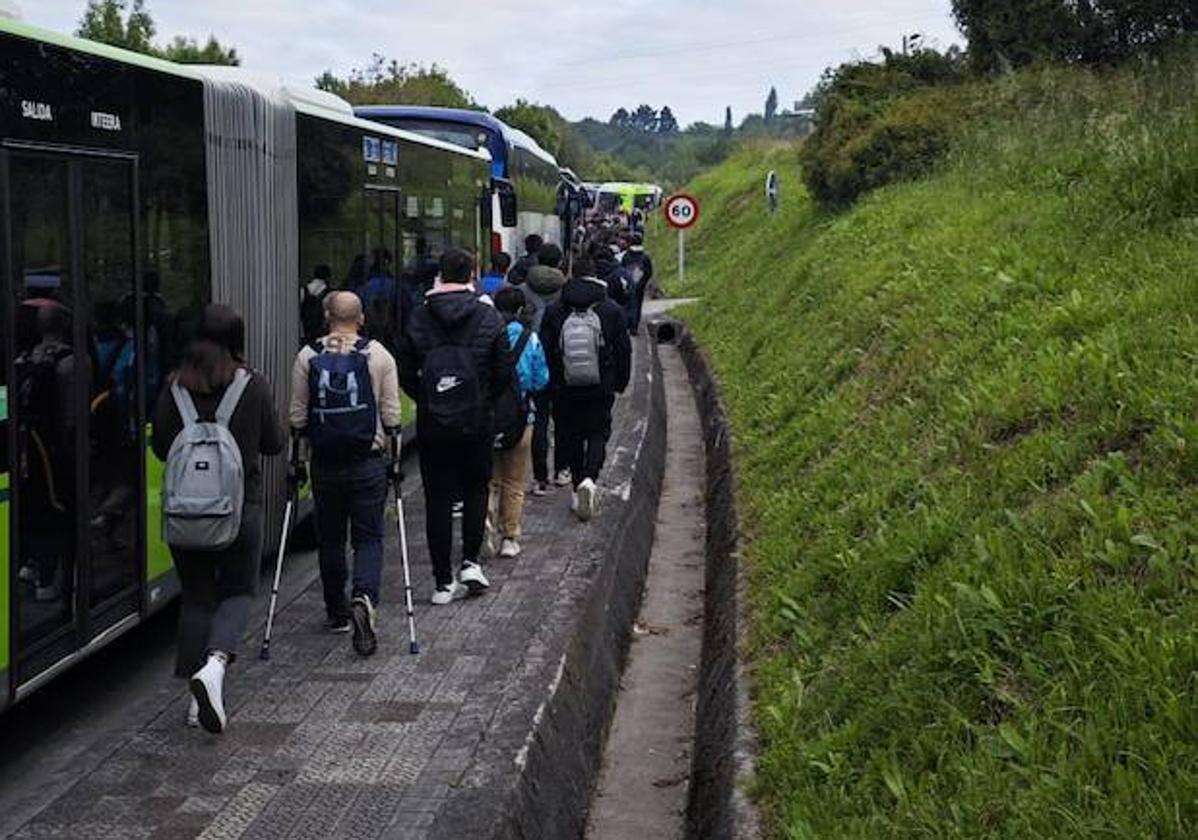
(548, 739)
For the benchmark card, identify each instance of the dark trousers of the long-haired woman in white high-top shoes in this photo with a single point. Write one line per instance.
(219, 590)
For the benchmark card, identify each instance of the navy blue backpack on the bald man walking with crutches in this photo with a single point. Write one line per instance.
(342, 410)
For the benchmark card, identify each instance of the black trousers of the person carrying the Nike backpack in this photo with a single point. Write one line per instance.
(450, 472)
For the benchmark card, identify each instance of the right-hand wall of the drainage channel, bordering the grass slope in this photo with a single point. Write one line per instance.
(725, 744)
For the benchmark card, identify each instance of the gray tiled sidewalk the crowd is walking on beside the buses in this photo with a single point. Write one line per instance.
(323, 744)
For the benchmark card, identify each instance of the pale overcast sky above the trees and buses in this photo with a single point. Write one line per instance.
(586, 59)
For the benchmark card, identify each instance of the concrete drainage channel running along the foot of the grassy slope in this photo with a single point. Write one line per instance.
(681, 748)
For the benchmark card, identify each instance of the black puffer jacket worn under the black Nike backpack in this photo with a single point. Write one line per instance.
(455, 313)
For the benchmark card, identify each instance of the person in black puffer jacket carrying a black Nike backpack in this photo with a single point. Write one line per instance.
(455, 362)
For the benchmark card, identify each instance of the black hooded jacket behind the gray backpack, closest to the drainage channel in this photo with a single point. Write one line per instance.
(616, 361)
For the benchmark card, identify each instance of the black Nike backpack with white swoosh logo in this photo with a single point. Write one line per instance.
(452, 402)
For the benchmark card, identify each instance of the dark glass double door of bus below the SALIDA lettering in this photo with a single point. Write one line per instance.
(74, 406)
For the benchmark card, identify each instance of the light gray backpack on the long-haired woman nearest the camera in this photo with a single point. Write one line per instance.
(204, 487)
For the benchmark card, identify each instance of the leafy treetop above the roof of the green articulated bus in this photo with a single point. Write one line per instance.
(388, 82)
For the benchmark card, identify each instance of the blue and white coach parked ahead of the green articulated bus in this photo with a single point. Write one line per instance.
(528, 197)
